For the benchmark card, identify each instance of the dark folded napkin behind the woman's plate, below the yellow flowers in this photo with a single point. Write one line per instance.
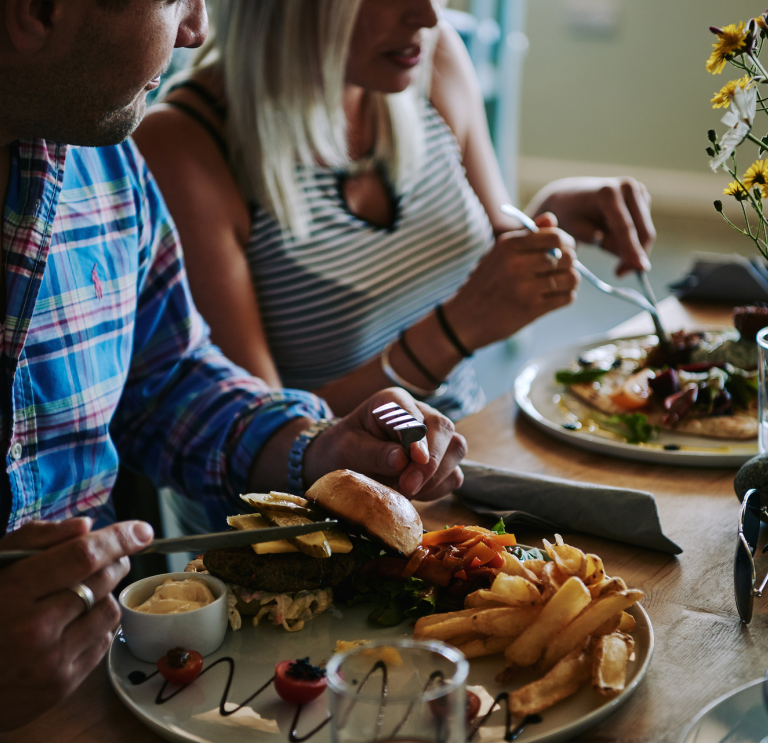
(718, 278)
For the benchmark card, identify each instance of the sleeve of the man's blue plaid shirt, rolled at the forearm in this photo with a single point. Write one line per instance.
(188, 417)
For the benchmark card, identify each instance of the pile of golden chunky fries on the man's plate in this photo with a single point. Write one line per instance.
(564, 617)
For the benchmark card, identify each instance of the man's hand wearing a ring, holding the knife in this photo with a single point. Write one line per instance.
(48, 644)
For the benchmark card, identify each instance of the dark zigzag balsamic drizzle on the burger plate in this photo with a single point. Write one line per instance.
(510, 734)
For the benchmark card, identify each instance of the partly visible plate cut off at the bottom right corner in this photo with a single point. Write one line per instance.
(737, 717)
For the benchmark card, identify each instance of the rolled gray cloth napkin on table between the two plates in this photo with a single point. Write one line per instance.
(628, 516)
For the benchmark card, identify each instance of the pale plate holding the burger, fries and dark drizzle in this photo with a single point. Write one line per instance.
(256, 650)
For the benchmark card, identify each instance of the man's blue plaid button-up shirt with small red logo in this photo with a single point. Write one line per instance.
(104, 356)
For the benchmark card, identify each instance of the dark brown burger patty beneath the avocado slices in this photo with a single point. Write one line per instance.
(278, 573)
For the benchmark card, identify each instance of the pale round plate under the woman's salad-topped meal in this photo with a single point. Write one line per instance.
(536, 392)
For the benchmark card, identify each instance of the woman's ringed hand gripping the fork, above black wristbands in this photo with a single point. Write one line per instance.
(516, 282)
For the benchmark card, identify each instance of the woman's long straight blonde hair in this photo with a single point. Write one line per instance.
(283, 64)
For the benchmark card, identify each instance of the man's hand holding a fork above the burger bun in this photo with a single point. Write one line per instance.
(361, 442)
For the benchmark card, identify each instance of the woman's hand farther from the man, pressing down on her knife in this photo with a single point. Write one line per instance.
(611, 212)
